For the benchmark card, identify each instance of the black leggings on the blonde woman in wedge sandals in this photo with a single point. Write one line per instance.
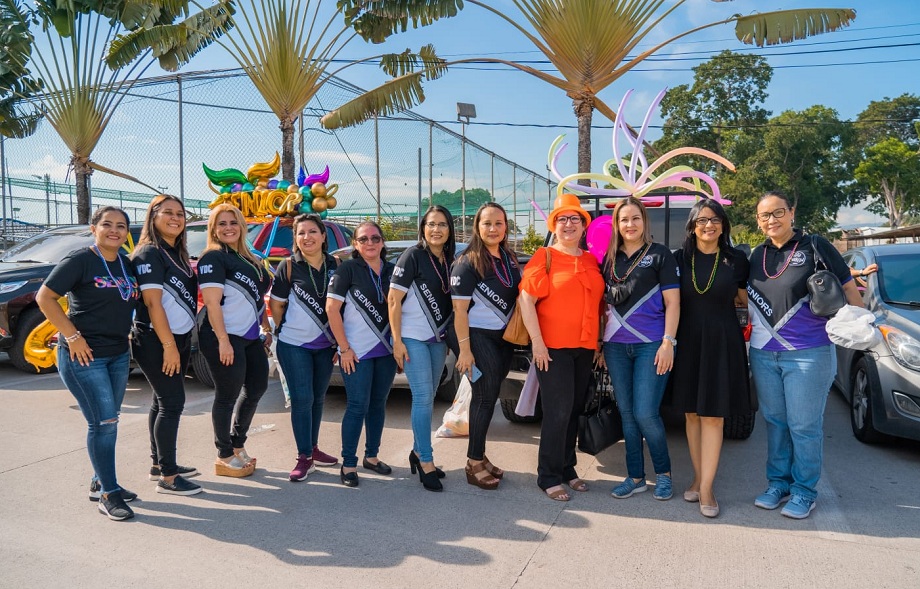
(249, 369)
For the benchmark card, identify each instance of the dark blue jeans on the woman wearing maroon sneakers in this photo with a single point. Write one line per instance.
(307, 373)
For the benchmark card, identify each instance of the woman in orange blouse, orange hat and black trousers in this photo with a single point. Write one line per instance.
(561, 310)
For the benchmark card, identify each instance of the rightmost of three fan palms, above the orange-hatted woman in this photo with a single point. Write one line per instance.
(589, 43)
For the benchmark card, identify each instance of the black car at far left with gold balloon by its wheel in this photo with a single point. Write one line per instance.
(24, 333)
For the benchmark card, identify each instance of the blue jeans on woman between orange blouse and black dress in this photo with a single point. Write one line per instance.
(639, 389)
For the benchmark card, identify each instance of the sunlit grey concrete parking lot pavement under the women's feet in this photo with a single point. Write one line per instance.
(265, 531)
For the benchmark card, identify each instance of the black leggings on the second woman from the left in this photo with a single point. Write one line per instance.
(168, 394)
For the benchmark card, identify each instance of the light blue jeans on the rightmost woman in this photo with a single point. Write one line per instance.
(792, 388)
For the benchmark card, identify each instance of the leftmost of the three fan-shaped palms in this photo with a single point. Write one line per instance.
(79, 93)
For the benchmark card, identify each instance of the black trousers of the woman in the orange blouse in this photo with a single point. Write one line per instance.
(563, 394)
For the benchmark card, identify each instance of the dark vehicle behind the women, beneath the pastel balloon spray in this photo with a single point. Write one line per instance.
(667, 226)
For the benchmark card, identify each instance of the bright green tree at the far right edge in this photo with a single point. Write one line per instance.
(891, 174)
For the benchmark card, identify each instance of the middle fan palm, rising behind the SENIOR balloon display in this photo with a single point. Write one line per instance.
(288, 50)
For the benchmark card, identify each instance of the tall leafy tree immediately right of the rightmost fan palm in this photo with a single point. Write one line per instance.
(726, 97)
